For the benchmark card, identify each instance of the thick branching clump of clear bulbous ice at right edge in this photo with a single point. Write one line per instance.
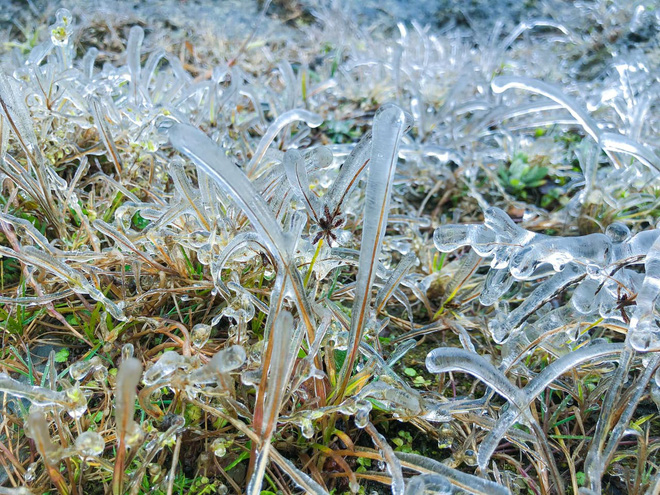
(595, 264)
